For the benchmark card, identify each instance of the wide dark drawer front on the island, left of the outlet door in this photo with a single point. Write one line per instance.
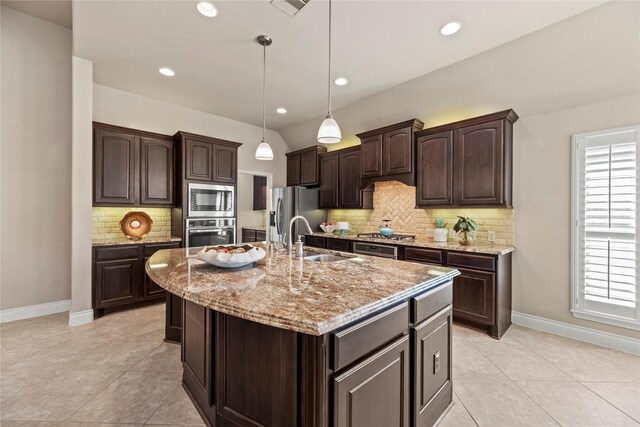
(360, 339)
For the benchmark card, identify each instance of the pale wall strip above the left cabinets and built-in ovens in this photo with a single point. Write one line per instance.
(121, 108)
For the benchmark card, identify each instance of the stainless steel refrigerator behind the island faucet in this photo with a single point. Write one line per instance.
(289, 202)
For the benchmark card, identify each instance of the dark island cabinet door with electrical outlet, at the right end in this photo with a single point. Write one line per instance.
(432, 368)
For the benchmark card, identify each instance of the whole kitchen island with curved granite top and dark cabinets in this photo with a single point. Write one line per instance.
(357, 341)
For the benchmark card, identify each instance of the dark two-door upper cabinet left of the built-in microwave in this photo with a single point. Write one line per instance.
(132, 167)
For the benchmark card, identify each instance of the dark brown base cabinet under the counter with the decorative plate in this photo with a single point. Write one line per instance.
(118, 276)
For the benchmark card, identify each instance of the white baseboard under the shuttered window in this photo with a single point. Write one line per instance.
(580, 333)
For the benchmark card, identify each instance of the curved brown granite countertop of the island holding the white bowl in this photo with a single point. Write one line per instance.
(299, 295)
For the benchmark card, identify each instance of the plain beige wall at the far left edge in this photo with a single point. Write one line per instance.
(35, 180)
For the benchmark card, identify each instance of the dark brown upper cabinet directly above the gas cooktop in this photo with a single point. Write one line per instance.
(387, 153)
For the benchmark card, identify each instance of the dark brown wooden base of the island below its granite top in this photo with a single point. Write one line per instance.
(391, 368)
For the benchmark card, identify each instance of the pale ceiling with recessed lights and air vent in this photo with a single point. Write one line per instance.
(218, 64)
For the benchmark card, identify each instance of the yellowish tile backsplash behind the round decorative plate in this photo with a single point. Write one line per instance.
(105, 222)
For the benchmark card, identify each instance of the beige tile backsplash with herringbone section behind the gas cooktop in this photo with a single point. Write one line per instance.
(396, 202)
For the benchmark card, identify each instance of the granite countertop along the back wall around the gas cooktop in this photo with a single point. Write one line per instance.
(426, 242)
